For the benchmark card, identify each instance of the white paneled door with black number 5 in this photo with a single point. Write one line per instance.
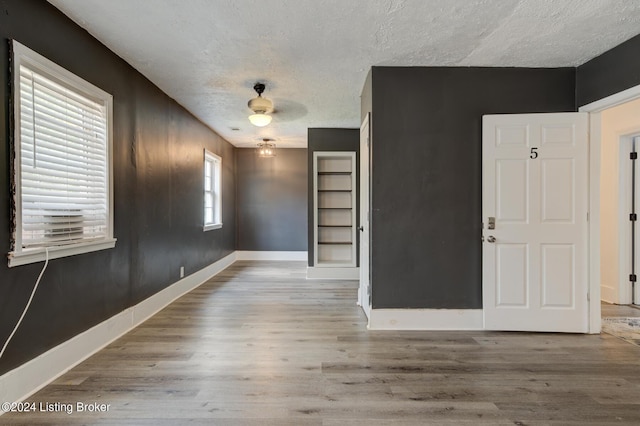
(535, 197)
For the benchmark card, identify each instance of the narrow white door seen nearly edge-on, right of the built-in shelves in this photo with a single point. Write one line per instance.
(364, 293)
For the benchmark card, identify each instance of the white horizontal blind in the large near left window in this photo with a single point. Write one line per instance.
(63, 164)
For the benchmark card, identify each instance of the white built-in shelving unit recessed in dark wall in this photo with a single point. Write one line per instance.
(334, 213)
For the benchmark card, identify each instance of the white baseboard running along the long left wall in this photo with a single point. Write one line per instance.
(18, 384)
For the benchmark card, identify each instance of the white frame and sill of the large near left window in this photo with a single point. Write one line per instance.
(22, 55)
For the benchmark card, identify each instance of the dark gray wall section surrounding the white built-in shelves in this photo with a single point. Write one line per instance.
(330, 139)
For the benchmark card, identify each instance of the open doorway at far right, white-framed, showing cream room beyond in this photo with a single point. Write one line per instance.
(614, 122)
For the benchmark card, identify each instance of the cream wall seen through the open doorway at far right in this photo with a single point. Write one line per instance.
(617, 122)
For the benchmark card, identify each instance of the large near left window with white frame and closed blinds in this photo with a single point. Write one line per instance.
(62, 170)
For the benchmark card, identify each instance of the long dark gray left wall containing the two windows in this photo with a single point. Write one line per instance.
(157, 169)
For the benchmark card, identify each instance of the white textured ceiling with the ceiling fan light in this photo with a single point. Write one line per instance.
(314, 55)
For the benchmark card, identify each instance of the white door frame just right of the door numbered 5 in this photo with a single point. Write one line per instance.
(595, 144)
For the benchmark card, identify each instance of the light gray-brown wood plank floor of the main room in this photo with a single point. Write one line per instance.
(260, 345)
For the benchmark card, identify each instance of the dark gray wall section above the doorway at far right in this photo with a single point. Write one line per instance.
(614, 71)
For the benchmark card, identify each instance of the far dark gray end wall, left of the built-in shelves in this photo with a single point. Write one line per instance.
(272, 200)
